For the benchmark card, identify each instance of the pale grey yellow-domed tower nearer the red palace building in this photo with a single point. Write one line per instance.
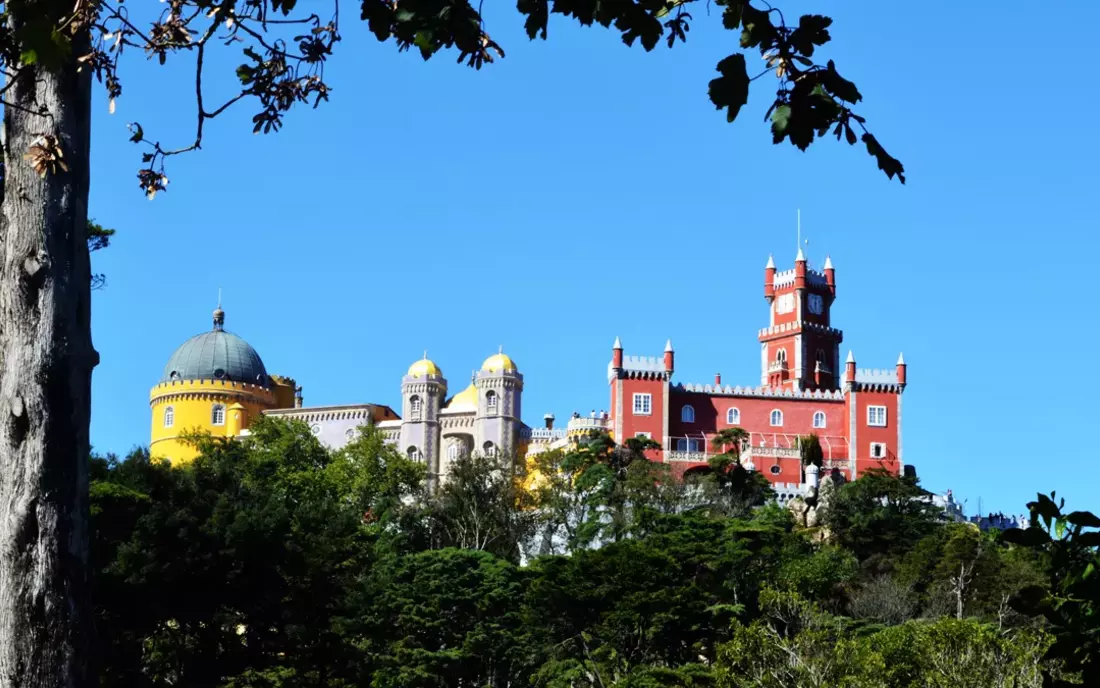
(500, 389)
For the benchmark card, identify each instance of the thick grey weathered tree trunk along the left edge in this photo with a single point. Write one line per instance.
(46, 380)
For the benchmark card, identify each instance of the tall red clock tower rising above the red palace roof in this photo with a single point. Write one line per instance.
(800, 350)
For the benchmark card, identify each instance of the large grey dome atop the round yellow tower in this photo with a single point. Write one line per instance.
(216, 356)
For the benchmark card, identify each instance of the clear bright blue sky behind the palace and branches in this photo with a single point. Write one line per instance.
(579, 191)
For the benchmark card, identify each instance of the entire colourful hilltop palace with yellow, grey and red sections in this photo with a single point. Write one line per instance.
(216, 383)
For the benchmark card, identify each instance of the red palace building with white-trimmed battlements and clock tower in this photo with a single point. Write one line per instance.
(846, 394)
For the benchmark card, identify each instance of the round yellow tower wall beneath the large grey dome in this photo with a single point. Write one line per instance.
(193, 403)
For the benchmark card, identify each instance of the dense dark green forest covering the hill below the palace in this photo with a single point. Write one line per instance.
(273, 562)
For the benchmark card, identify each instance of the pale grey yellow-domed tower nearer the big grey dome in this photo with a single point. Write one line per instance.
(423, 394)
